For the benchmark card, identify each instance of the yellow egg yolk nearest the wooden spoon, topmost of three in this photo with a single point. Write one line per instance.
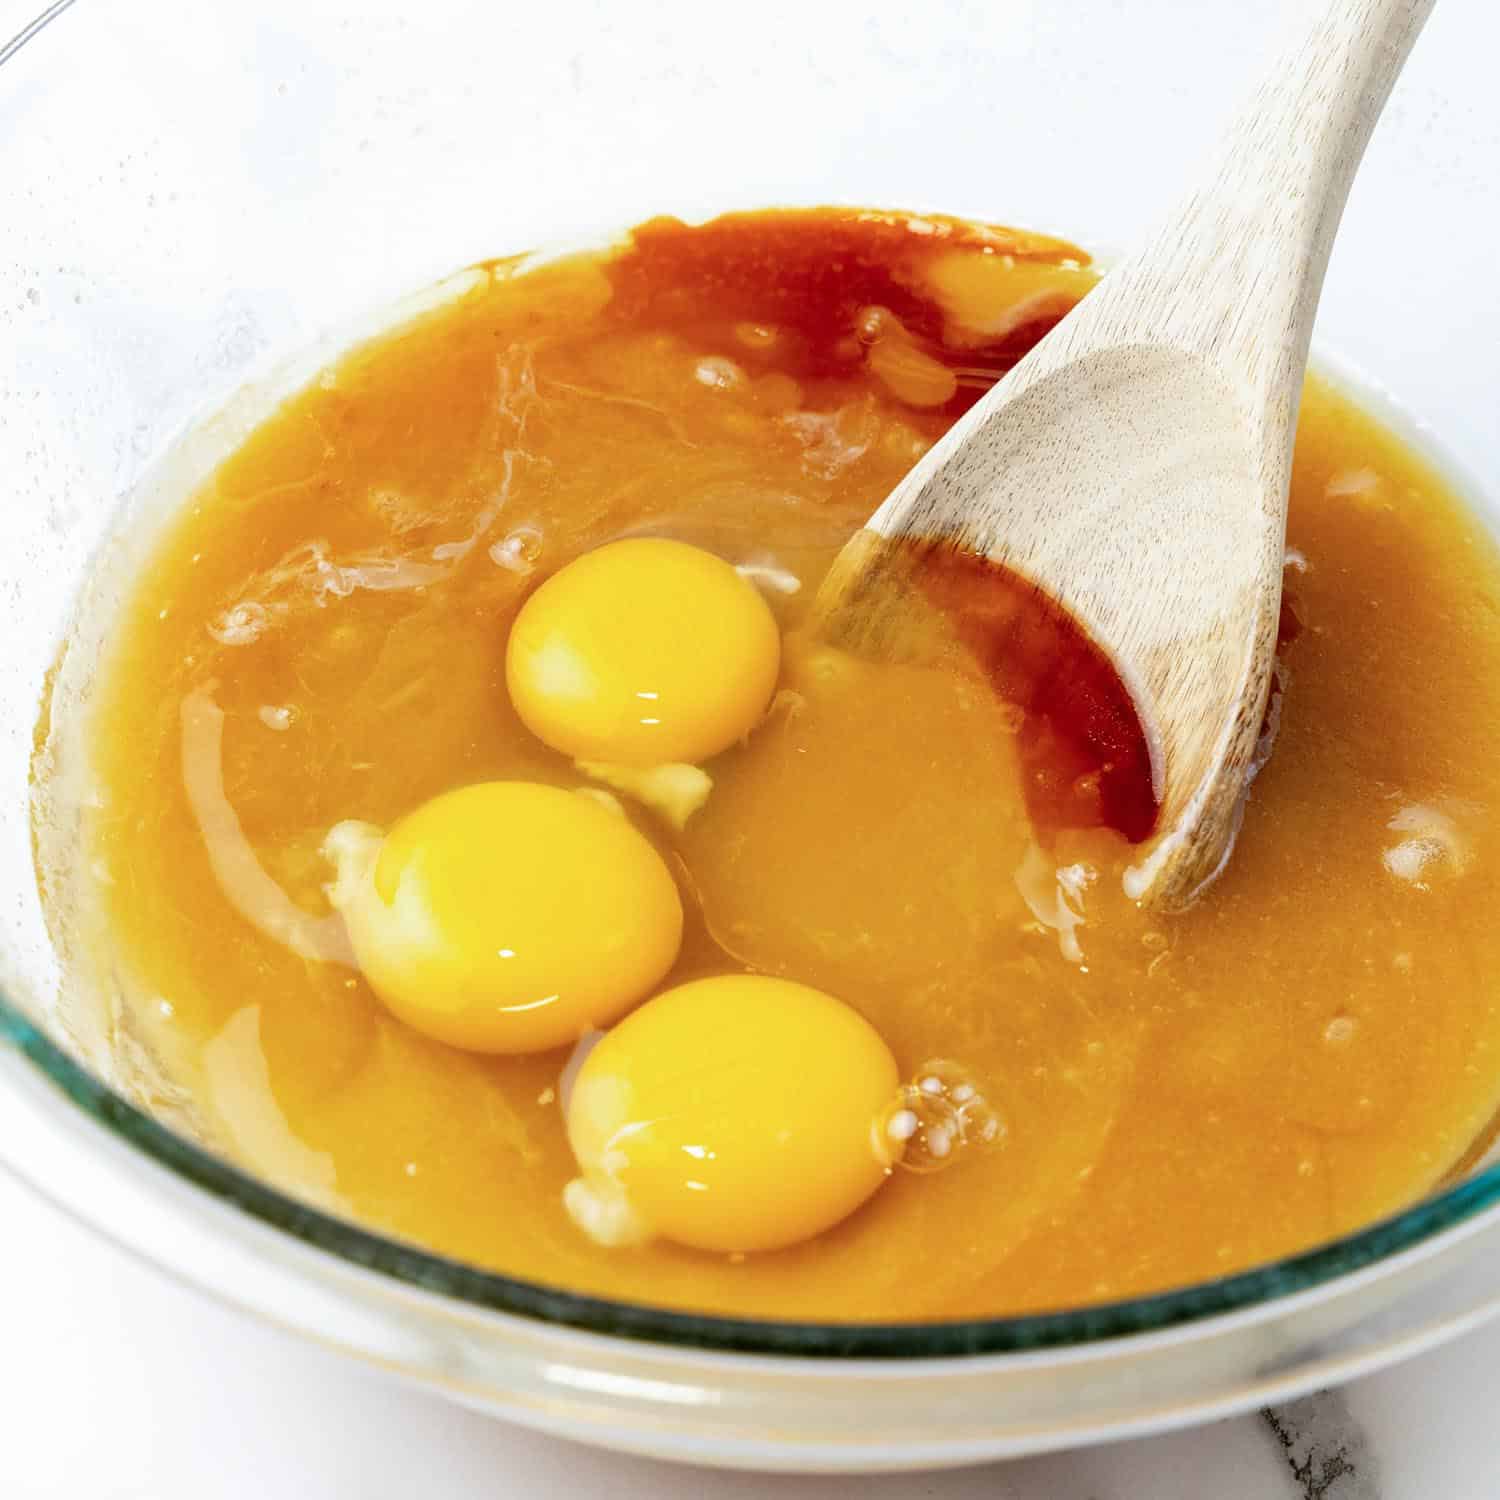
(643, 653)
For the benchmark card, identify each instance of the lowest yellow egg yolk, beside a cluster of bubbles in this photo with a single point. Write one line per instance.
(737, 1114)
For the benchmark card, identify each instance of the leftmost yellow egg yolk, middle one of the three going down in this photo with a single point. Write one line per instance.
(508, 917)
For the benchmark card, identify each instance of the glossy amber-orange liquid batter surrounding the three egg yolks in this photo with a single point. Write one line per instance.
(1313, 1046)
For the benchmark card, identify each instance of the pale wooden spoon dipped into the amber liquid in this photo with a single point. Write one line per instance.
(1136, 464)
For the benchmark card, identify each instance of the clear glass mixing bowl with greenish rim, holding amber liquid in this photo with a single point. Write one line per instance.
(196, 193)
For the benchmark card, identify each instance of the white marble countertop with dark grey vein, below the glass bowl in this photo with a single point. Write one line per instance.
(118, 1384)
